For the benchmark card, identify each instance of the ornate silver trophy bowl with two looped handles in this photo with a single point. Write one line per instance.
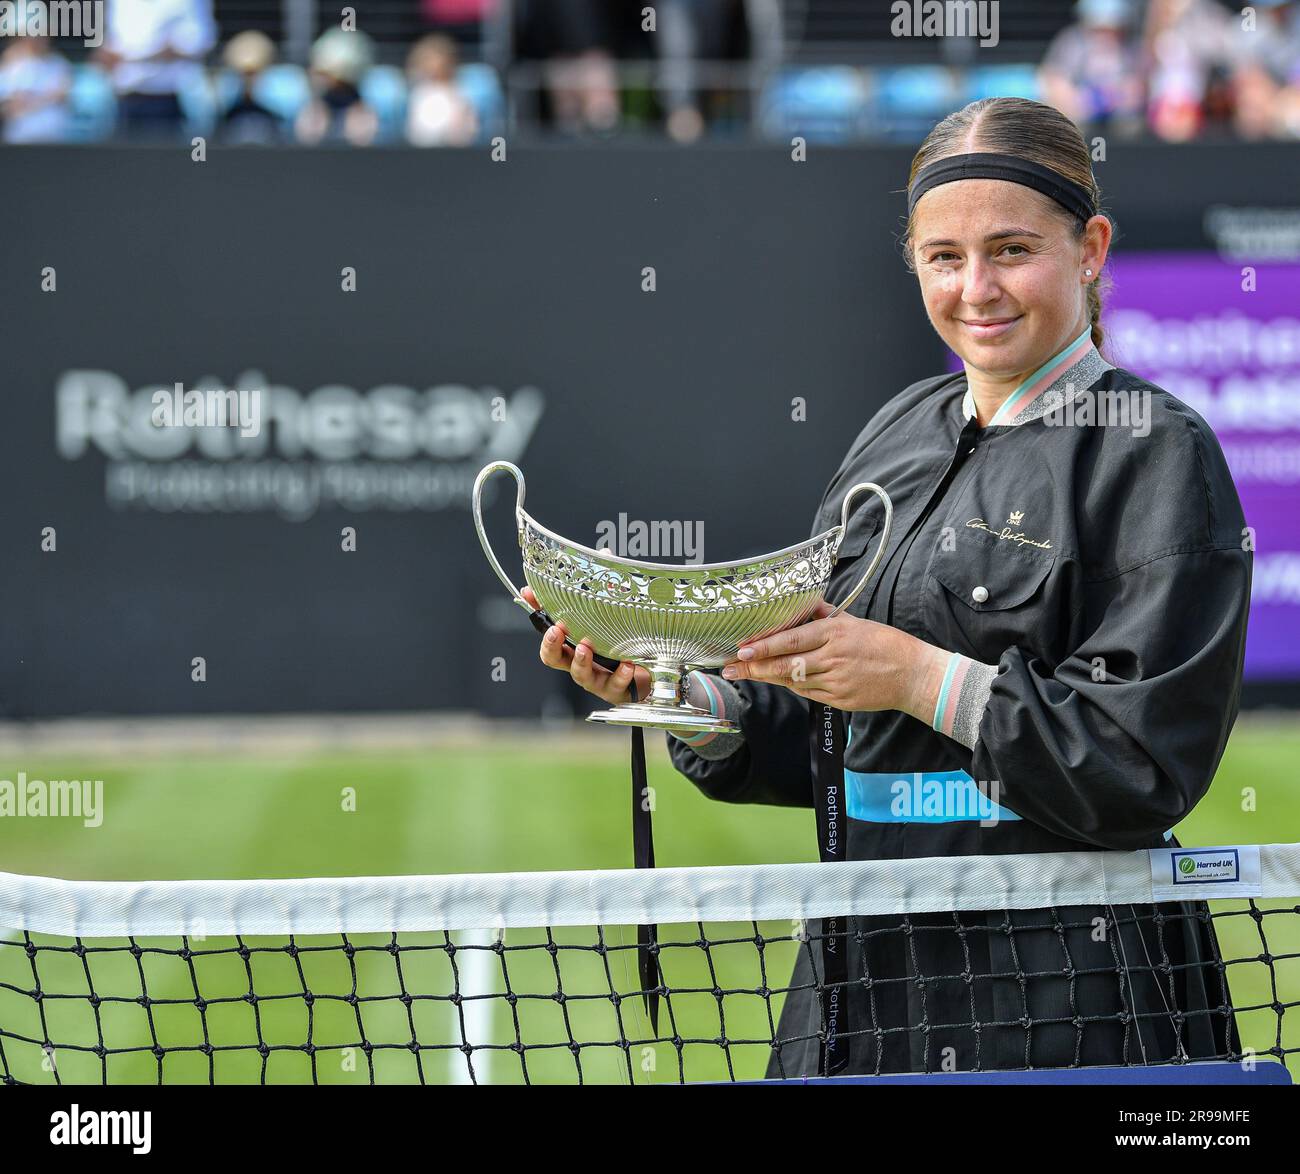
(671, 620)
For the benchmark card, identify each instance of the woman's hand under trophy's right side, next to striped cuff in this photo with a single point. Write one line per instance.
(855, 665)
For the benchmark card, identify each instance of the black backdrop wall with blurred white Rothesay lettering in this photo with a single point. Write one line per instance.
(500, 310)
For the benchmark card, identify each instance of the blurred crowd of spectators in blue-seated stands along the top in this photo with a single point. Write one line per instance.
(167, 71)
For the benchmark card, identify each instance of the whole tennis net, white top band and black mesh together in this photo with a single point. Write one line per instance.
(968, 964)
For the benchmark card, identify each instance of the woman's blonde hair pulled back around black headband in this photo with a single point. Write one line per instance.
(1028, 131)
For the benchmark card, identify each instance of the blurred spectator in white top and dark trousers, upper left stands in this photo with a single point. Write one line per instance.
(154, 50)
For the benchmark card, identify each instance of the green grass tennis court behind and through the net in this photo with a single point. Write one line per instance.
(515, 805)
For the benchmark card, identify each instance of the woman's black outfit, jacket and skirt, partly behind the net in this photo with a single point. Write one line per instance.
(1116, 582)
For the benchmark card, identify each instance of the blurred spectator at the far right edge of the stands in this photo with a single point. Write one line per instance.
(1267, 72)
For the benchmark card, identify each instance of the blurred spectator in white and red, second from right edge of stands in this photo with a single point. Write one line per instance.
(1185, 51)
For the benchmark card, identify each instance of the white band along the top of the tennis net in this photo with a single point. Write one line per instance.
(510, 900)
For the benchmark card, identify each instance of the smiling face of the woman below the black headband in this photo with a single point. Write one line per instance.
(1003, 276)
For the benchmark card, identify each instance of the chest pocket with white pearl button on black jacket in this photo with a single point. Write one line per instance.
(990, 595)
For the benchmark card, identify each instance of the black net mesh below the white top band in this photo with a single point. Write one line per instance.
(976, 991)
